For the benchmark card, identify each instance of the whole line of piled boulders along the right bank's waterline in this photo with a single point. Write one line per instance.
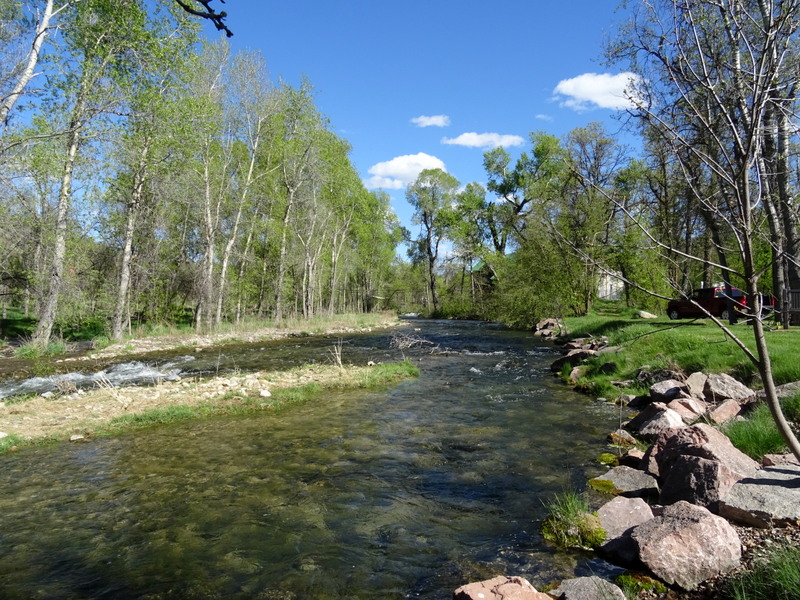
(691, 510)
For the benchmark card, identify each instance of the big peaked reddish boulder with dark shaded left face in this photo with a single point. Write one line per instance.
(697, 464)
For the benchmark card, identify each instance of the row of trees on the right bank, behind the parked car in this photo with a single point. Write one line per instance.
(710, 198)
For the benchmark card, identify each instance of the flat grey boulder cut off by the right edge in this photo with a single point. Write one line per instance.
(770, 498)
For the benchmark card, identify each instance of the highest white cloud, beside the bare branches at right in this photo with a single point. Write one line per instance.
(592, 90)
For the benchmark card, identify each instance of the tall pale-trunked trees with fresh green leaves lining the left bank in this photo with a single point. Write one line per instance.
(157, 177)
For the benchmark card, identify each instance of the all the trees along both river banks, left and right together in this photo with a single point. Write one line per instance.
(159, 178)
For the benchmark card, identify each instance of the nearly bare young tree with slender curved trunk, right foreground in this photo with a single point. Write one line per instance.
(712, 74)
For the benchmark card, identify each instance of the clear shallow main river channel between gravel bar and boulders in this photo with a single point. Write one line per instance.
(401, 493)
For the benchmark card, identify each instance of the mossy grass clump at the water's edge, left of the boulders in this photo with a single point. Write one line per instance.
(570, 524)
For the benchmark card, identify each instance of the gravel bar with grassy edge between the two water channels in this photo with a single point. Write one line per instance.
(103, 412)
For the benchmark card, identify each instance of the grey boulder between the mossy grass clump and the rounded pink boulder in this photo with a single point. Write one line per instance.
(618, 518)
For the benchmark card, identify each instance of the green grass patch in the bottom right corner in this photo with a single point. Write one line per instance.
(777, 577)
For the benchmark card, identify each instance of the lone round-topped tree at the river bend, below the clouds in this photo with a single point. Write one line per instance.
(432, 195)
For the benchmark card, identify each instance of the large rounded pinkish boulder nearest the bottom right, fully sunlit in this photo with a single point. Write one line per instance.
(687, 545)
